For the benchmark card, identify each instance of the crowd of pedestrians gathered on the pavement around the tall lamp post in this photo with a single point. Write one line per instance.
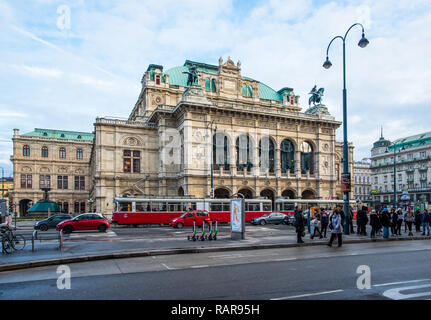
(383, 222)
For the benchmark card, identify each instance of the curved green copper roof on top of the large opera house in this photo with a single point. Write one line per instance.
(177, 77)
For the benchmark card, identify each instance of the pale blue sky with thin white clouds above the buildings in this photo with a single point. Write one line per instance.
(64, 63)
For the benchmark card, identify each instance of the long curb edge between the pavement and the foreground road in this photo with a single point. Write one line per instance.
(172, 251)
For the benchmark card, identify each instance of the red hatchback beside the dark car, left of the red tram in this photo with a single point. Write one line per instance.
(85, 221)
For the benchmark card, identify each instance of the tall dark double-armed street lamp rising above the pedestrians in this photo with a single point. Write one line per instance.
(327, 64)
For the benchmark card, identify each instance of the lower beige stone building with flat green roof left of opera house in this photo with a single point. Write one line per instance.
(52, 159)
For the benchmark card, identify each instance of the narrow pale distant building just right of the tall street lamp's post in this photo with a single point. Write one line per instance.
(362, 181)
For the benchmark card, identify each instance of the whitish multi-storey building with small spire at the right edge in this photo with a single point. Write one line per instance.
(412, 162)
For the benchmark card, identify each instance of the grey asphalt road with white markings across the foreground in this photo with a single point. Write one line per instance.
(398, 270)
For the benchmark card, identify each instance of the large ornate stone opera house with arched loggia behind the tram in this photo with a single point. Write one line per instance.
(259, 140)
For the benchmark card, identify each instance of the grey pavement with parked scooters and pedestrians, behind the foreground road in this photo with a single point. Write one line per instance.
(122, 242)
